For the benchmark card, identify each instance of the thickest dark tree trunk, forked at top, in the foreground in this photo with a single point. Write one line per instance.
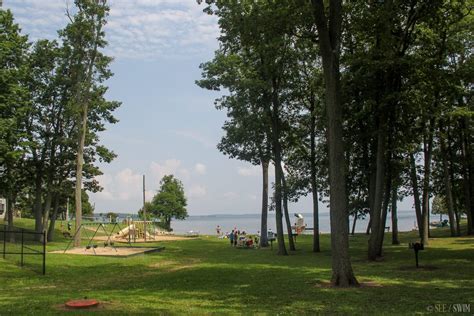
(329, 42)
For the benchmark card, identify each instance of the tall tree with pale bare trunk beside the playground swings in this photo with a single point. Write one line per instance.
(83, 38)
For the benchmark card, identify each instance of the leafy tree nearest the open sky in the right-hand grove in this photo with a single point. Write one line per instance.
(246, 135)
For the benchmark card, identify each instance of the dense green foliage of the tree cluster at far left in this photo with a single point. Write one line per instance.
(43, 89)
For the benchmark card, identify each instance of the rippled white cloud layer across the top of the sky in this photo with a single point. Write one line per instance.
(136, 29)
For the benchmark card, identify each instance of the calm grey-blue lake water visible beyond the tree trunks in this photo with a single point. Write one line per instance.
(250, 223)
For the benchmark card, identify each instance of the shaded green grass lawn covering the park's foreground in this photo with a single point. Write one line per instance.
(207, 276)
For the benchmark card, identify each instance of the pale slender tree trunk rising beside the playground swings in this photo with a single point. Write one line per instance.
(80, 163)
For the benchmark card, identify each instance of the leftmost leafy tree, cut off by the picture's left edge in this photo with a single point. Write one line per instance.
(13, 108)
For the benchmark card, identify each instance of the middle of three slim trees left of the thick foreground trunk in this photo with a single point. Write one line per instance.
(259, 34)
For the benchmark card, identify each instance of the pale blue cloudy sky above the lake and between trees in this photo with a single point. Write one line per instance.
(167, 124)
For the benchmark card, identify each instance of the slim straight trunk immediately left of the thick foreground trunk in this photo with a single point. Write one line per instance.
(314, 187)
